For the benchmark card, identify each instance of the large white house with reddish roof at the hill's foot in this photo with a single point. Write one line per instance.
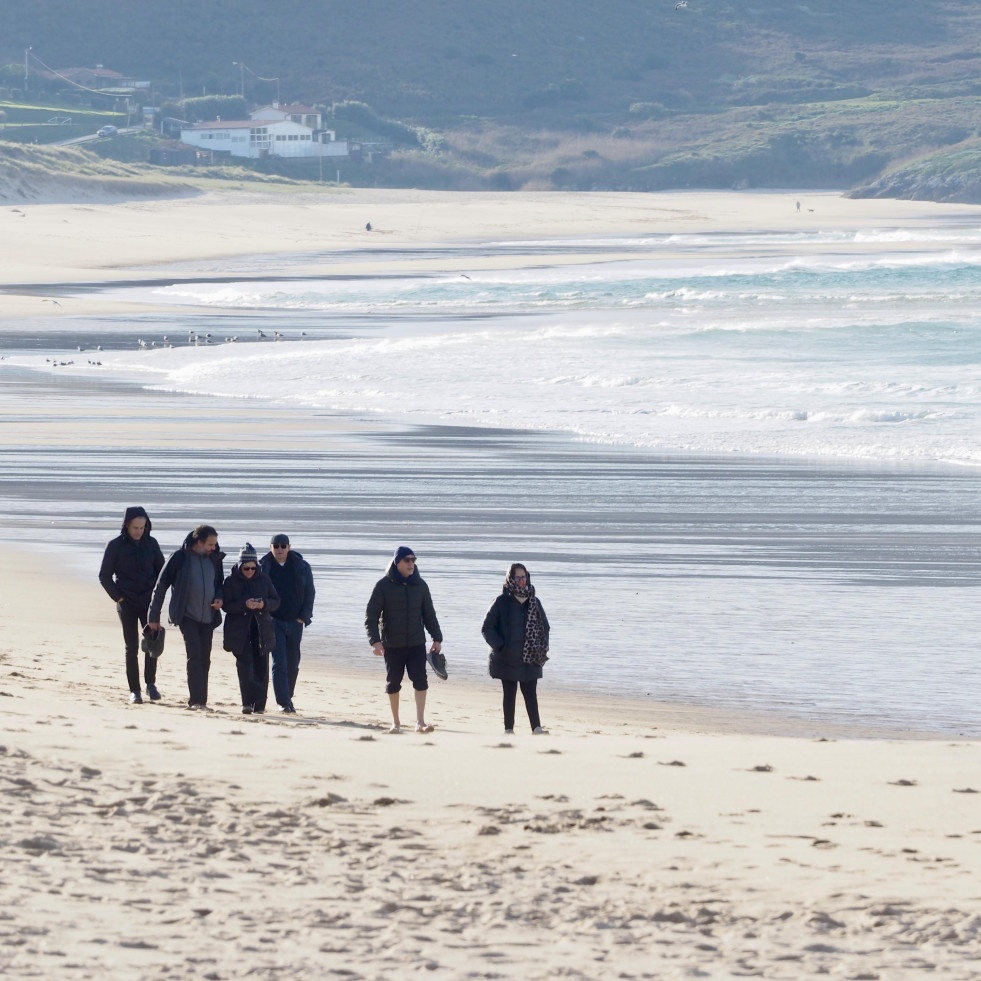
(273, 131)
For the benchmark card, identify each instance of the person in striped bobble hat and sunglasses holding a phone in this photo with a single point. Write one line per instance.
(249, 602)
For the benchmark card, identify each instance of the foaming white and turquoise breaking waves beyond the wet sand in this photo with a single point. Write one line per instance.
(791, 346)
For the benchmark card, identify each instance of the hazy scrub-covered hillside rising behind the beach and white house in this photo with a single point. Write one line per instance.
(881, 97)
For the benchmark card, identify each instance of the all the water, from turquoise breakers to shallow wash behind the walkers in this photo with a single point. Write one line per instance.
(744, 469)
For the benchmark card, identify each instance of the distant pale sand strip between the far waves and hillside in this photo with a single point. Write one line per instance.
(41, 246)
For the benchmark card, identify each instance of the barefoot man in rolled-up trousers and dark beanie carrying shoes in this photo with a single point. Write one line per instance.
(399, 613)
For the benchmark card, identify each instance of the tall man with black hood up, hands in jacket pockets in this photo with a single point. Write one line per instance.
(130, 566)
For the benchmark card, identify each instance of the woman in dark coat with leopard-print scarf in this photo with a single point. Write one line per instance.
(517, 629)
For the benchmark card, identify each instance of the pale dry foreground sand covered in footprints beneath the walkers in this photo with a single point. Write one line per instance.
(150, 841)
